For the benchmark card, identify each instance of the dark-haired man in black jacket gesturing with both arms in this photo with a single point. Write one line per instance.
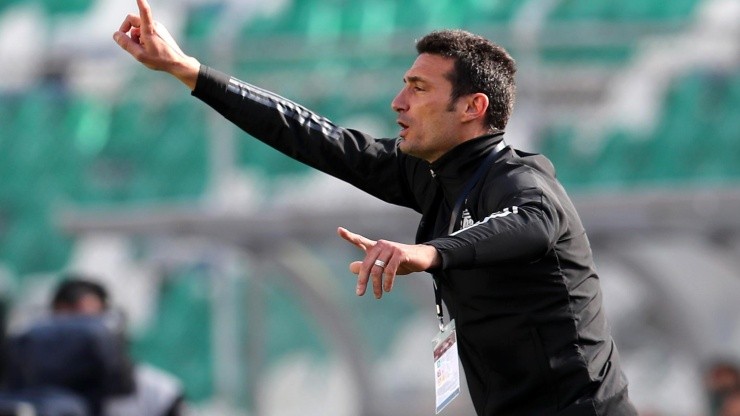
(504, 244)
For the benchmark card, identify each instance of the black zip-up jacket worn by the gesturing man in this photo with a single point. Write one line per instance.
(519, 280)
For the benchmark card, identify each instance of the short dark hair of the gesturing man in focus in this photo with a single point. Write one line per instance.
(480, 66)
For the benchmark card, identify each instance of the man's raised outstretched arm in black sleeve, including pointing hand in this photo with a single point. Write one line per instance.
(375, 166)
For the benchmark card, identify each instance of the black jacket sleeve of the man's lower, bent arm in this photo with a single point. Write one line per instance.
(522, 227)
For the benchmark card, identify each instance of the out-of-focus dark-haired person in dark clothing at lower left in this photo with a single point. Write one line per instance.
(71, 361)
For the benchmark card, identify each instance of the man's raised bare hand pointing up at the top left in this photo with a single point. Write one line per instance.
(152, 45)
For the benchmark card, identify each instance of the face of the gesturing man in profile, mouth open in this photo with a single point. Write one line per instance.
(430, 125)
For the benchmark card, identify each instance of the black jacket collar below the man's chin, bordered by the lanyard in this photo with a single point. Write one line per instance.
(455, 167)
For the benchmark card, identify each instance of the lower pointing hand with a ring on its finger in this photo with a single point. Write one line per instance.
(399, 259)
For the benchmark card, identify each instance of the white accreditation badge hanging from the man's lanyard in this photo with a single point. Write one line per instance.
(446, 366)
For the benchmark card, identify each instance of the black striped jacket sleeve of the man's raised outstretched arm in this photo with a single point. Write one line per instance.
(373, 165)
